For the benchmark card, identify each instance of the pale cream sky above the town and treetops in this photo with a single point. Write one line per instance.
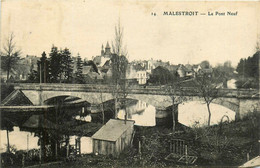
(84, 25)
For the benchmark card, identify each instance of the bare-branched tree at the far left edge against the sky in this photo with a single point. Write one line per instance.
(10, 55)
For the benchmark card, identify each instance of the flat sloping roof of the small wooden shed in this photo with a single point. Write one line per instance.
(112, 130)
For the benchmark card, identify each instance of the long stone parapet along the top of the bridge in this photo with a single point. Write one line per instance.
(154, 90)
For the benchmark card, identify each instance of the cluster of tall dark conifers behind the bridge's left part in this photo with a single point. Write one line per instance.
(57, 68)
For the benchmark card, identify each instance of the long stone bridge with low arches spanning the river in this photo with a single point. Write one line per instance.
(239, 101)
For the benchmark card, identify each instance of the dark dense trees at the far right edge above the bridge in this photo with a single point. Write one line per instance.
(248, 72)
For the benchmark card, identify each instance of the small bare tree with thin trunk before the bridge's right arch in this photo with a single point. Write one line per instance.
(207, 87)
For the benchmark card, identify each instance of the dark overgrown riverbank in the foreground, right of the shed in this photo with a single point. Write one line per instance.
(228, 144)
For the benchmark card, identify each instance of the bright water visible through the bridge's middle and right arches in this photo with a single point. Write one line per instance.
(189, 113)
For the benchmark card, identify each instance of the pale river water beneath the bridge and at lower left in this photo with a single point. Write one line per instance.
(143, 114)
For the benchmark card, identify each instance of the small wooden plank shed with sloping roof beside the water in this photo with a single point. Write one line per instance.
(113, 137)
